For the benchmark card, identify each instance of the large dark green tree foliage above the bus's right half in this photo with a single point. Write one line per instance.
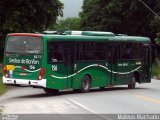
(120, 16)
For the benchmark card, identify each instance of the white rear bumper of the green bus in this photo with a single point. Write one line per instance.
(35, 83)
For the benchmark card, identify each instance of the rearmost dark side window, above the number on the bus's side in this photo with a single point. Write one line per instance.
(55, 52)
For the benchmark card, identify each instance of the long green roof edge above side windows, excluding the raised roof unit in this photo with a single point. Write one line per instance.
(98, 38)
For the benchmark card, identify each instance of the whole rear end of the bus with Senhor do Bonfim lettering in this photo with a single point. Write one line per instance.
(23, 60)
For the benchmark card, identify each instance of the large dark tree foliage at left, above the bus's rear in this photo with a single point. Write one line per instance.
(28, 15)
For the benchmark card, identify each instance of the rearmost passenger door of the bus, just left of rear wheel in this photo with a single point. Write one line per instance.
(68, 61)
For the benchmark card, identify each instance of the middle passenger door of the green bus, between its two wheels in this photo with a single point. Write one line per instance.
(112, 64)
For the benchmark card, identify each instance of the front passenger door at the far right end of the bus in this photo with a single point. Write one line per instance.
(146, 64)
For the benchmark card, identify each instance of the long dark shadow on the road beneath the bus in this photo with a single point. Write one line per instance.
(71, 92)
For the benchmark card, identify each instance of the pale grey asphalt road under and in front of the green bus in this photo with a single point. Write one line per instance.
(145, 99)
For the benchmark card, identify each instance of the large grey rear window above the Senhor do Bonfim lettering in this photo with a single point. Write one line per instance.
(24, 44)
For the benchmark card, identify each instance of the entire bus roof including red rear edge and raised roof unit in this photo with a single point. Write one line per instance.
(87, 36)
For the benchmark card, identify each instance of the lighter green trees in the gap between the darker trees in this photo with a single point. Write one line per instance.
(67, 24)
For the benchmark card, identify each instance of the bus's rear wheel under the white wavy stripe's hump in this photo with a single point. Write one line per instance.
(85, 84)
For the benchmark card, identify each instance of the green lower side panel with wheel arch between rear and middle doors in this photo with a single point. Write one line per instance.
(95, 70)
